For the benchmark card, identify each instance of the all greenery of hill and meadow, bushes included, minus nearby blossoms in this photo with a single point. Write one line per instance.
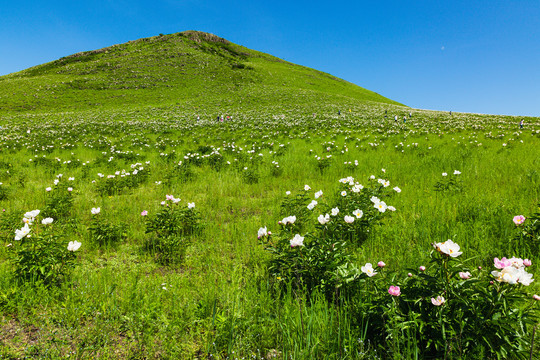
(186, 282)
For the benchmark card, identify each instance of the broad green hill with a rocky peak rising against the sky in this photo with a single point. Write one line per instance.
(188, 69)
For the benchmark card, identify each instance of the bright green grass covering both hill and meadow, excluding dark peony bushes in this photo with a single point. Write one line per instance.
(219, 301)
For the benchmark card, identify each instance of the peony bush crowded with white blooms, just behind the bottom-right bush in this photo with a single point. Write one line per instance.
(316, 253)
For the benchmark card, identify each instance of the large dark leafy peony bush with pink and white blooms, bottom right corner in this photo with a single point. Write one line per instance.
(448, 309)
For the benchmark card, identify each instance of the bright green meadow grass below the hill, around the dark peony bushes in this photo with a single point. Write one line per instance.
(219, 302)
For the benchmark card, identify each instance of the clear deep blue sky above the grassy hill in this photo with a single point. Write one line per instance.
(470, 56)
